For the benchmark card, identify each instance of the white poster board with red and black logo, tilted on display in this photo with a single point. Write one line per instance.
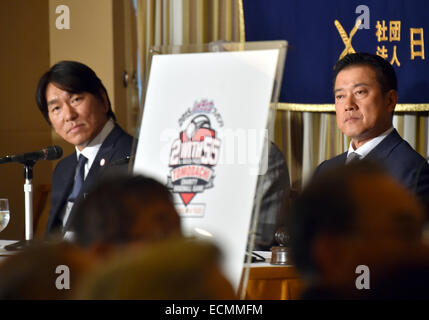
(202, 134)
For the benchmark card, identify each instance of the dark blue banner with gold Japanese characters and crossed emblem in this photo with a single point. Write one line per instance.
(319, 32)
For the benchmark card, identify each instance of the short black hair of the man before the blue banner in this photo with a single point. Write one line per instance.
(384, 71)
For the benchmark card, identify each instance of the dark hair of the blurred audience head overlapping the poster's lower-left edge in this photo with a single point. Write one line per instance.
(113, 207)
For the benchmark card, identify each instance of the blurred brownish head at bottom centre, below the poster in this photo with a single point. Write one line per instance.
(172, 269)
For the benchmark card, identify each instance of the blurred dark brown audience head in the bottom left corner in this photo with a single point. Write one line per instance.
(43, 271)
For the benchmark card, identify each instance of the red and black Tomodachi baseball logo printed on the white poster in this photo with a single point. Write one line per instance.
(194, 155)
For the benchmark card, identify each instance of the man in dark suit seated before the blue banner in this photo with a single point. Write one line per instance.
(365, 90)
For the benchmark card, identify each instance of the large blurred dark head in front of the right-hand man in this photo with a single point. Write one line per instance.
(350, 216)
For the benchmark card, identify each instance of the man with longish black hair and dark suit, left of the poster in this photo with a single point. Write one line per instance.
(75, 103)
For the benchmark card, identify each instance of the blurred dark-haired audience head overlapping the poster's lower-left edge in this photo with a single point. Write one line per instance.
(123, 210)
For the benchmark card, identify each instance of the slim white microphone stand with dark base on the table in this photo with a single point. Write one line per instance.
(28, 192)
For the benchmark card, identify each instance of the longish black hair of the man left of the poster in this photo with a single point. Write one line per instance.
(73, 77)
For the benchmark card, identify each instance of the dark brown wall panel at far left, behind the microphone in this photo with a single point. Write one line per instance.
(24, 32)
